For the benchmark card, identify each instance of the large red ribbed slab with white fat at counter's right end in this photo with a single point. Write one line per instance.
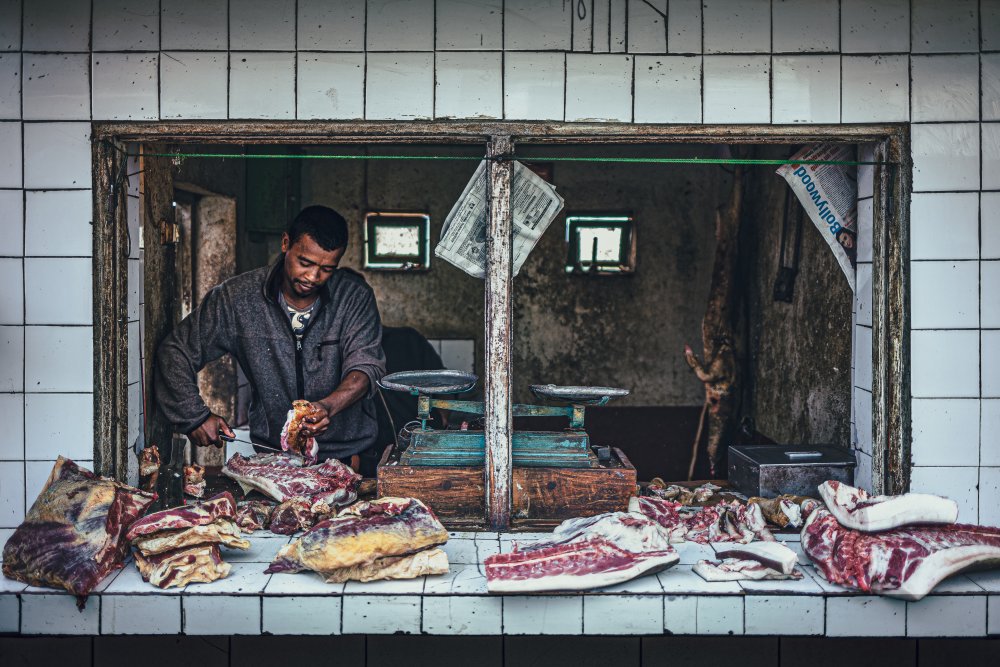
(902, 562)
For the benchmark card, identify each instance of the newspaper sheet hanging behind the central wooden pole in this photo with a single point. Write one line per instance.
(534, 204)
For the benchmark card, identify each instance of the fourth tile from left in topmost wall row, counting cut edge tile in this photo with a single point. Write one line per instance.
(194, 24)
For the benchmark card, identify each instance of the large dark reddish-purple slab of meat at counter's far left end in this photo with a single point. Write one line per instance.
(74, 534)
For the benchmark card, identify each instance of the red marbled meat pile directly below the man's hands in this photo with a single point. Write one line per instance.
(306, 494)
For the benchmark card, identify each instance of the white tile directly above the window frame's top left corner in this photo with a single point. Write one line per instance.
(125, 86)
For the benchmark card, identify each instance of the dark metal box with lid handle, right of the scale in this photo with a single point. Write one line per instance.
(771, 470)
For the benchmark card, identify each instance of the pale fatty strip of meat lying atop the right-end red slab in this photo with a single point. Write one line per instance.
(854, 508)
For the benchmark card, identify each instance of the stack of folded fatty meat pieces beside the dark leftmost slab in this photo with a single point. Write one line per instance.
(179, 546)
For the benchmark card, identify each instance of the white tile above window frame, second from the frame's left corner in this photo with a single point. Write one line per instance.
(193, 84)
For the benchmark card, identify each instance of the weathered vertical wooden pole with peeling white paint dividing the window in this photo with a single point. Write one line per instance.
(497, 408)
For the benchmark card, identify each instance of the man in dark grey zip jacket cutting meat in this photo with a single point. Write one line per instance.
(300, 330)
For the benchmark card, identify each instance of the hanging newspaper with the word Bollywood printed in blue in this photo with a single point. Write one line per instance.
(829, 193)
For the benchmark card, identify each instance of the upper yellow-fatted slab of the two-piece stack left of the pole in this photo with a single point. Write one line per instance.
(361, 534)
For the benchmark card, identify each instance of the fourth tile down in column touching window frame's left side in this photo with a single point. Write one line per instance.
(59, 358)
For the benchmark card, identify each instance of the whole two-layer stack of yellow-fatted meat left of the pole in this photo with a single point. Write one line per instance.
(387, 538)
